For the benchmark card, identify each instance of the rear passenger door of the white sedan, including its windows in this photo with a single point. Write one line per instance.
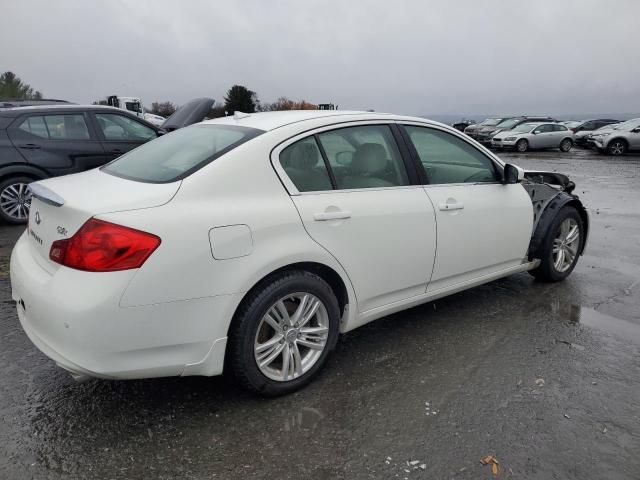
(357, 199)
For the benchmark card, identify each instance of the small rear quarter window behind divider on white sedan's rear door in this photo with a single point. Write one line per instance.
(305, 167)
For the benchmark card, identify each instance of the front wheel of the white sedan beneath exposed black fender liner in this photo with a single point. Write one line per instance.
(550, 270)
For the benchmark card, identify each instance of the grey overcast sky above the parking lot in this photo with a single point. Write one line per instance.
(412, 57)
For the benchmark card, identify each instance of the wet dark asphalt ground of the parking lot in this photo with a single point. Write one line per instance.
(545, 377)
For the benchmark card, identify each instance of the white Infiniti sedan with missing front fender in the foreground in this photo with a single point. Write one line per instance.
(250, 242)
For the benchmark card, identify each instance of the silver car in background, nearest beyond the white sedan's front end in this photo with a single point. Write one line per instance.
(534, 136)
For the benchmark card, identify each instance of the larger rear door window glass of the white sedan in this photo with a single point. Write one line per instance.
(364, 157)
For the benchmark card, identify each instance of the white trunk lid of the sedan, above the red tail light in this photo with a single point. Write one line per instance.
(60, 206)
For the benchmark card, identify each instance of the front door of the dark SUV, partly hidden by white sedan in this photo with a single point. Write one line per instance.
(120, 133)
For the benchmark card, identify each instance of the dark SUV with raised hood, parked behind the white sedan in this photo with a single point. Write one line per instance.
(46, 141)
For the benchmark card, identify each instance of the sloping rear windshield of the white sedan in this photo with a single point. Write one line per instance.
(178, 154)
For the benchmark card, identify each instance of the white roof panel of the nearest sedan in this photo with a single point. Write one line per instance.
(271, 120)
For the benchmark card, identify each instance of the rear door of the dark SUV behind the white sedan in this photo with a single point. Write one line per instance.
(60, 142)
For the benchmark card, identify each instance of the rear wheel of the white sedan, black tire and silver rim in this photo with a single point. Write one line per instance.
(250, 333)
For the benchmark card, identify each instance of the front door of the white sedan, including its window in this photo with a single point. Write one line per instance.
(484, 226)
